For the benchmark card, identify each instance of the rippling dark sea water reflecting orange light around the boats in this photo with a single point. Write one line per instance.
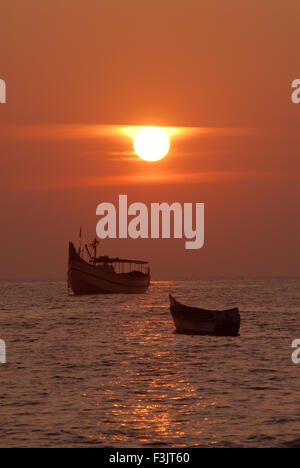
(109, 371)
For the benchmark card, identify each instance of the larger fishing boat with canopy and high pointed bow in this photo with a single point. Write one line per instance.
(105, 275)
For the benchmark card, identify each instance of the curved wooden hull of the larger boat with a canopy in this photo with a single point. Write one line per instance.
(84, 278)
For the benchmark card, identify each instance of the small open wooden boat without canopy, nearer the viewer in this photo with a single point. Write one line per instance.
(197, 321)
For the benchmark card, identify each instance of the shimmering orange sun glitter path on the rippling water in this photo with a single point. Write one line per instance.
(148, 394)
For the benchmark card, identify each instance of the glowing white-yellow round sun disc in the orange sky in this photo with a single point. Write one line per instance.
(151, 144)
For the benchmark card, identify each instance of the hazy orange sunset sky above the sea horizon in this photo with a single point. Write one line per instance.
(219, 73)
